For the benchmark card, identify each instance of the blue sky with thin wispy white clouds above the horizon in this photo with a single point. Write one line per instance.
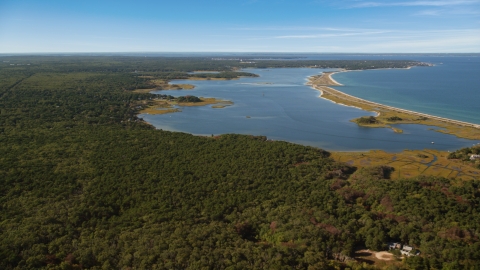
(313, 26)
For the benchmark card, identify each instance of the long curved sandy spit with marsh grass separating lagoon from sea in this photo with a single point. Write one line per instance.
(323, 81)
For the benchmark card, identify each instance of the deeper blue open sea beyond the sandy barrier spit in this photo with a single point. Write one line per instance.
(450, 89)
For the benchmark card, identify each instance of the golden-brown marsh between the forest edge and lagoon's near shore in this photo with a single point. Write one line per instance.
(412, 163)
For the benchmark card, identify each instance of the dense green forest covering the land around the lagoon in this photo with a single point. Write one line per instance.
(85, 184)
